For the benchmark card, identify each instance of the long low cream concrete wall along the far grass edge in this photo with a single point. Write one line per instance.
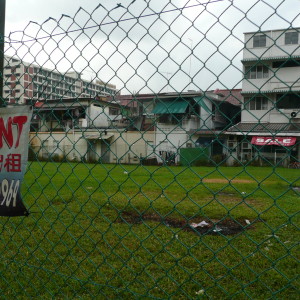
(121, 147)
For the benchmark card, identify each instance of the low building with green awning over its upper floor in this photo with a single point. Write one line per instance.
(191, 119)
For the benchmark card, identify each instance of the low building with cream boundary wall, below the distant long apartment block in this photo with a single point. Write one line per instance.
(85, 129)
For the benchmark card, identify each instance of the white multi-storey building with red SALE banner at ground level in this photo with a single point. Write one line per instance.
(270, 121)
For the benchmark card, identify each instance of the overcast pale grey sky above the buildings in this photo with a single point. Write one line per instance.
(201, 42)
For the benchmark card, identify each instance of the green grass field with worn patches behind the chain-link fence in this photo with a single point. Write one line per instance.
(109, 231)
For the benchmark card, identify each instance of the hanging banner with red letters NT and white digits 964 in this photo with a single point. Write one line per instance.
(14, 135)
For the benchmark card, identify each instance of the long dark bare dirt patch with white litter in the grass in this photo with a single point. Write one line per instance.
(213, 227)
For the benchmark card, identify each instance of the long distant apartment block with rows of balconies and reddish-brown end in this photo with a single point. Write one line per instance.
(25, 82)
